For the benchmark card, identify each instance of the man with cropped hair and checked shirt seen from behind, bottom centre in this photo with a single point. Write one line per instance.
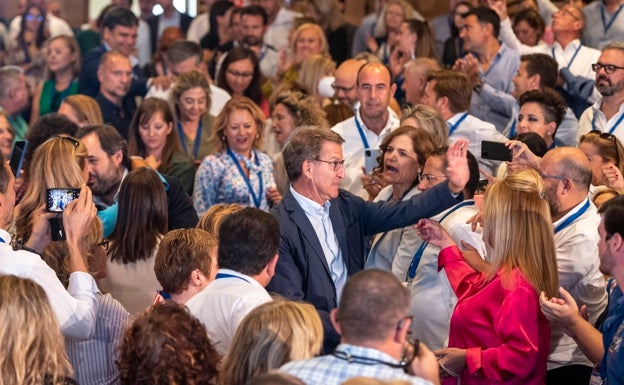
(373, 323)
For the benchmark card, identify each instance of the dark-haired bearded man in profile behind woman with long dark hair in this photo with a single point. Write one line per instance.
(108, 163)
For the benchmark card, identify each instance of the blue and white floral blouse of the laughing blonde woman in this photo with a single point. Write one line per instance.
(219, 180)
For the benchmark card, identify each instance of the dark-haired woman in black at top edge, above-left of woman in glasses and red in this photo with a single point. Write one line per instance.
(218, 40)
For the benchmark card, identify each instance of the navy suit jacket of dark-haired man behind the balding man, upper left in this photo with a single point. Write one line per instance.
(89, 84)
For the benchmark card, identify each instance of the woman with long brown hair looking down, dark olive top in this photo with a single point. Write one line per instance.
(153, 138)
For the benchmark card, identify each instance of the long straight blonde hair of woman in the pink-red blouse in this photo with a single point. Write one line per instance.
(515, 211)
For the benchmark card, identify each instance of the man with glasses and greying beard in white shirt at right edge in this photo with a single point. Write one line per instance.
(607, 113)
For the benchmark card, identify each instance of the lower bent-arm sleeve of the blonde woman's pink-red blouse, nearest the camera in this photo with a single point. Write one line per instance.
(517, 324)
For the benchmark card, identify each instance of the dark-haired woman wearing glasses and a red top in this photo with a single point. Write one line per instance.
(240, 76)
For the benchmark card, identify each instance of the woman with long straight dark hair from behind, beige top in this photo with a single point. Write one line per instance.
(141, 223)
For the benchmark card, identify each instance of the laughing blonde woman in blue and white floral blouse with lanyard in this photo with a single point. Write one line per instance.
(238, 172)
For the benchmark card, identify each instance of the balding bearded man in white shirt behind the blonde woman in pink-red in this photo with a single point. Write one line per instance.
(567, 175)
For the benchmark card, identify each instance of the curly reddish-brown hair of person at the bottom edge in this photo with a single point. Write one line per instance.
(167, 345)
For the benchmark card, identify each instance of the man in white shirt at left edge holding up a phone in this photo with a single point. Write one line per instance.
(76, 307)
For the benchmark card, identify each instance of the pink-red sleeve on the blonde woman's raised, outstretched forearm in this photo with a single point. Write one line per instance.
(460, 275)
